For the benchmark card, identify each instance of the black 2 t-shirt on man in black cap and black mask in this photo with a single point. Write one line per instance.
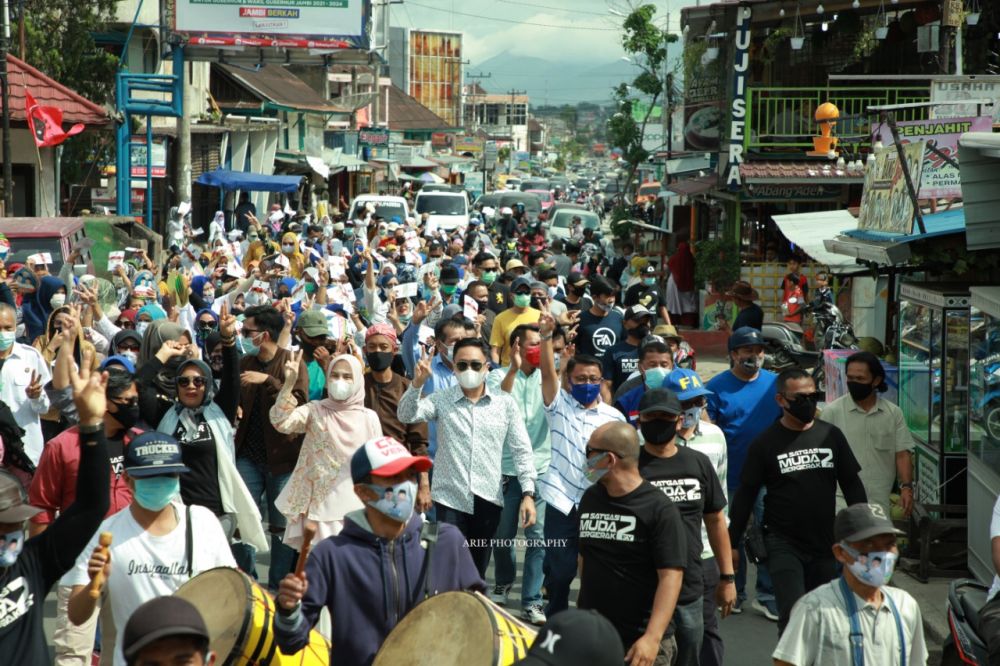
(690, 481)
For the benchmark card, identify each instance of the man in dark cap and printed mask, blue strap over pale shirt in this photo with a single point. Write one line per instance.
(858, 602)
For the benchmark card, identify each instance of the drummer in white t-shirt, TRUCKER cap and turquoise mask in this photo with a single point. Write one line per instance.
(157, 543)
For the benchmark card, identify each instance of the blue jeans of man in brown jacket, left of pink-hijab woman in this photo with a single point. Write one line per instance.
(261, 483)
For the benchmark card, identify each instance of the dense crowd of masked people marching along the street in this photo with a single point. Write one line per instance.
(407, 399)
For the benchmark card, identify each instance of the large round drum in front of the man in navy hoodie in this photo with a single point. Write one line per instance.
(456, 628)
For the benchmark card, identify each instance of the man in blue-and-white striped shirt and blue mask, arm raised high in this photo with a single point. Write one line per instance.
(575, 411)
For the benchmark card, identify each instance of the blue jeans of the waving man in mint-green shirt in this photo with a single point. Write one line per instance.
(534, 552)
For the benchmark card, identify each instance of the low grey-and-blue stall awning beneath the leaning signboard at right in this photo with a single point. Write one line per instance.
(889, 249)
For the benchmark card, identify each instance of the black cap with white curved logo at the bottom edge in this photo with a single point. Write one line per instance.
(575, 636)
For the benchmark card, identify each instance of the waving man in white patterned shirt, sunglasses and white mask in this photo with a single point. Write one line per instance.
(474, 424)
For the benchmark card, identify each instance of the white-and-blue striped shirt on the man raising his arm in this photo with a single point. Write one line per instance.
(571, 425)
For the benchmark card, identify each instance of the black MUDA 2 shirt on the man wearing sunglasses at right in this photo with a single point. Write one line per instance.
(801, 471)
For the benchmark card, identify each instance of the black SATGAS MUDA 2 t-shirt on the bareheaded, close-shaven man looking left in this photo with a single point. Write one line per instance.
(623, 542)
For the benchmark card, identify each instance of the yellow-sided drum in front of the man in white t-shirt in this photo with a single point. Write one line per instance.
(238, 614)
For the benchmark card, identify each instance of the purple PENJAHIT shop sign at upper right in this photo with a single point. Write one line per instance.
(939, 179)
